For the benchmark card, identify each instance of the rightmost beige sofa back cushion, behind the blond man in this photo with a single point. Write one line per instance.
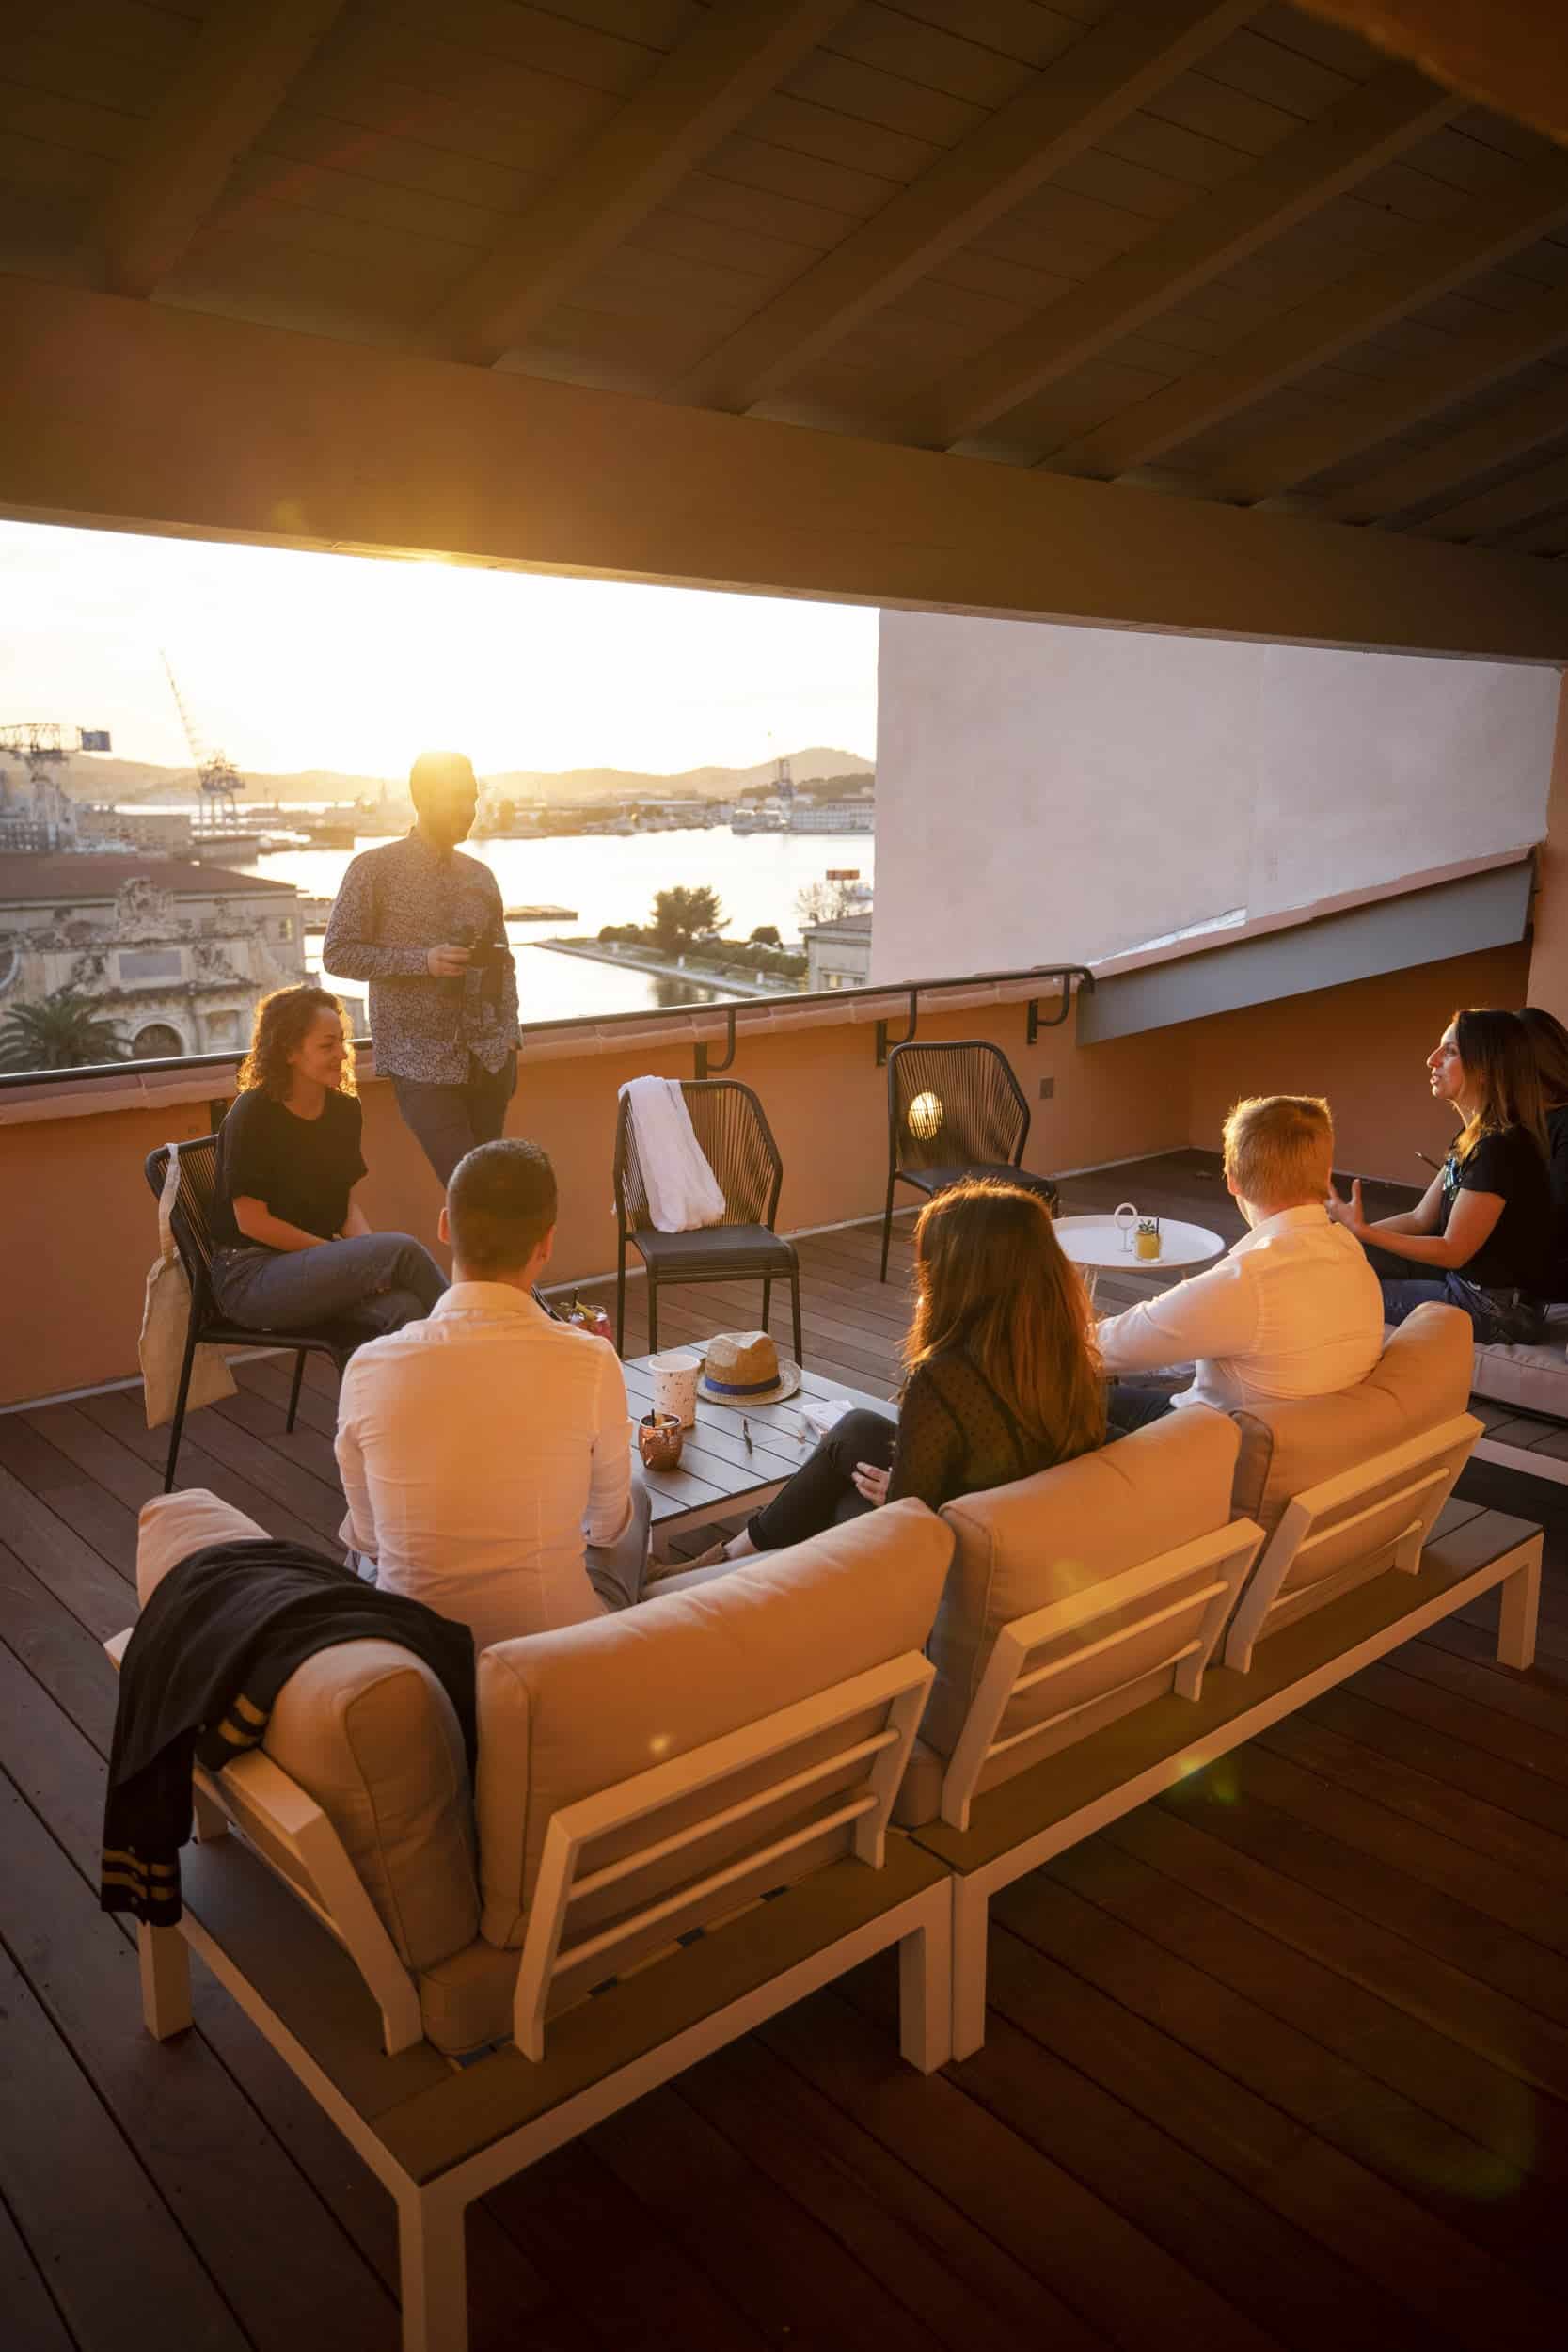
(1421, 1379)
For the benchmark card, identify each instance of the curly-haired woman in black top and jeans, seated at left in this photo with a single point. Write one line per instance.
(293, 1243)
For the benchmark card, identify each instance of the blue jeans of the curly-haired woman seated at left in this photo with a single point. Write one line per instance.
(373, 1283)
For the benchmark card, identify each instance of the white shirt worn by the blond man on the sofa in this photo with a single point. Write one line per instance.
(1294, 1311)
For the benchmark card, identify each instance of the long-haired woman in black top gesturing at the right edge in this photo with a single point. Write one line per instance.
(1485, 1234)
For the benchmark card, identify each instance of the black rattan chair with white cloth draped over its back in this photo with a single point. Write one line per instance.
(732, 1128)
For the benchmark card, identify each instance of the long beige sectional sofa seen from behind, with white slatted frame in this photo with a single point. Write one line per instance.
(591, 1918)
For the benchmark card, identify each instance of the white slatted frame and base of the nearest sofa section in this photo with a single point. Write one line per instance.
(286, 1925)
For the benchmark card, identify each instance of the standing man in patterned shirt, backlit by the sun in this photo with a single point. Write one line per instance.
(424, 928)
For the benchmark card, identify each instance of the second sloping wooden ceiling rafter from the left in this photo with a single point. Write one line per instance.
(695, 100)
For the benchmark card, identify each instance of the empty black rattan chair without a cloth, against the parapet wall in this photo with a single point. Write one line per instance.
(956, 1111)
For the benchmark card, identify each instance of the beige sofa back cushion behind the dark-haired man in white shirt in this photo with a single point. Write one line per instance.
(587, 1706)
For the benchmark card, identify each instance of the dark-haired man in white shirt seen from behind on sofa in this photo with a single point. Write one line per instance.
(485, 1450)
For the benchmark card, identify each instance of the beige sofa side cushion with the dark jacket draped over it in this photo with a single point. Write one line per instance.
(370, 1735)
